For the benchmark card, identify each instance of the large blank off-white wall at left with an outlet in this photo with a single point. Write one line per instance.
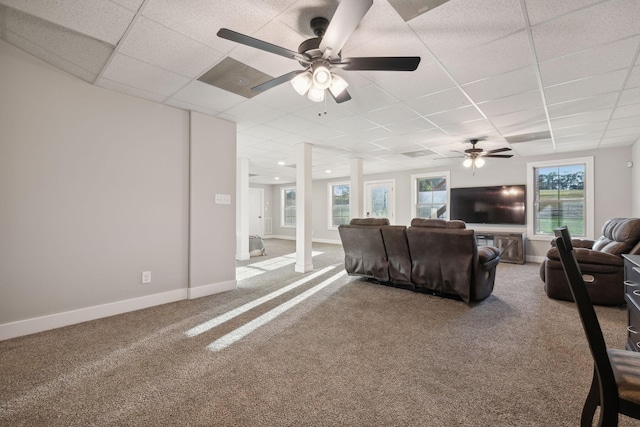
(94, 189)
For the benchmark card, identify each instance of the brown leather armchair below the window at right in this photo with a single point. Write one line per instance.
(600, 258)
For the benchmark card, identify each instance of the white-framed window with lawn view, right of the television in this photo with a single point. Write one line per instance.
(562, 195)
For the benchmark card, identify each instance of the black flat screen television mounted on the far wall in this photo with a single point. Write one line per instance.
(500, 204)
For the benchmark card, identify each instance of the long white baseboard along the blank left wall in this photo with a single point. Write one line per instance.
(58, 320)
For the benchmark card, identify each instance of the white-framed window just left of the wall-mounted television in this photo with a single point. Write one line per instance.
(430, 195)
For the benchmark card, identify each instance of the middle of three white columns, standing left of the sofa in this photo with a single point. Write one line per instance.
(303, 209)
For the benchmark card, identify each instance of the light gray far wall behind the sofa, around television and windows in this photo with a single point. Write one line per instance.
(613, 190)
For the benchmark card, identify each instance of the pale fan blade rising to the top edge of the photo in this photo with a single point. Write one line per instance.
(345, 19)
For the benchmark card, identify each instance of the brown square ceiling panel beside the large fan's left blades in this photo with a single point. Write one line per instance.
(236, 77)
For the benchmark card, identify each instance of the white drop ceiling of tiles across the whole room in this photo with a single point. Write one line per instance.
(539, 76)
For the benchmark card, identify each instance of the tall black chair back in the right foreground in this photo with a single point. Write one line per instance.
(609, 400)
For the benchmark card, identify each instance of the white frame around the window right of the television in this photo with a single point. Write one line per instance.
(589, 194)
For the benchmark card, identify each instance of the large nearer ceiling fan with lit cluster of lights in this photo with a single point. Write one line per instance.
(321, 54)
